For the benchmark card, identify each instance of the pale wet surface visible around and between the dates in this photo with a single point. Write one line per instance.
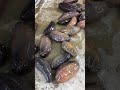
(49, 11)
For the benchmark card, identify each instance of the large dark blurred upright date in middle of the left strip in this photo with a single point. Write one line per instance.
(22, 49)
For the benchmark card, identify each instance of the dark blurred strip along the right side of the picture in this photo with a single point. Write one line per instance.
(102, 38)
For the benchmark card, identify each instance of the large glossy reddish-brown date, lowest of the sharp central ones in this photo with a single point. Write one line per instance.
(66, 72)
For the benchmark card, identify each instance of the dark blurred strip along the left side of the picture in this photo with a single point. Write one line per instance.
(17, 45)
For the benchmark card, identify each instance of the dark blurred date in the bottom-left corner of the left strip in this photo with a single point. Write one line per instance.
(9, 83)
